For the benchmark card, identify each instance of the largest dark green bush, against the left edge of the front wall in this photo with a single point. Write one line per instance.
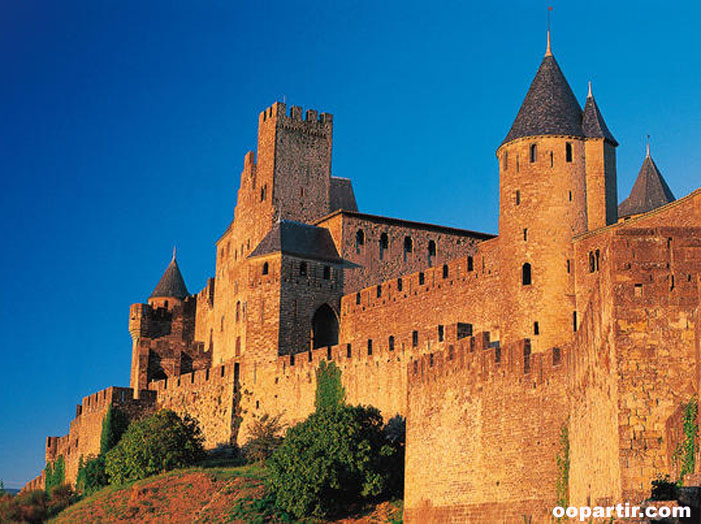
(335, 457)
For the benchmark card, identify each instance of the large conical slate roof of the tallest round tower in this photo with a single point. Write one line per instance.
(550, 107)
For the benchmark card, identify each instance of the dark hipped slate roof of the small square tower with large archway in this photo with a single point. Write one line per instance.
(302, 240)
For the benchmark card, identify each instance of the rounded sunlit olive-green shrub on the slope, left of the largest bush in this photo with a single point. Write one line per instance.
(158, 443)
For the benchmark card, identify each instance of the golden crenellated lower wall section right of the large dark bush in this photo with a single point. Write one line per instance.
(483, 434)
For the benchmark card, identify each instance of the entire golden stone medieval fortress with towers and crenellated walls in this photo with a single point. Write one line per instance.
(580, 319)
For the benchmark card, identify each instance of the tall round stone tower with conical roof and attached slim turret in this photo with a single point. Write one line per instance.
(557, 180)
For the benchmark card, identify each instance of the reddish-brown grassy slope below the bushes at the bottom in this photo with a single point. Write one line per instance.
(212, 494)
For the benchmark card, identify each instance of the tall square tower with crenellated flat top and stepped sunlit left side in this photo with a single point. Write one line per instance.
(289, 180)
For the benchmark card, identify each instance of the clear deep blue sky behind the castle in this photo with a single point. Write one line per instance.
(123, 126)
